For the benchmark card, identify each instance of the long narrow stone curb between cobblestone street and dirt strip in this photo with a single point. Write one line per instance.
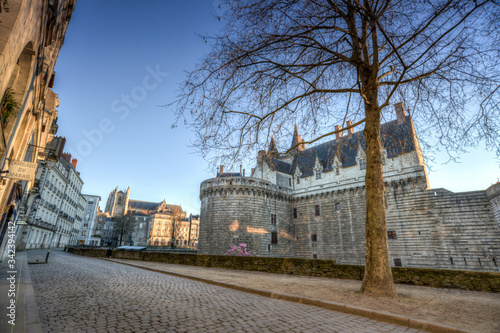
(345, 308)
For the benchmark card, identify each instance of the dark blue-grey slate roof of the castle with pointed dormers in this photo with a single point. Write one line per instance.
(396, 139)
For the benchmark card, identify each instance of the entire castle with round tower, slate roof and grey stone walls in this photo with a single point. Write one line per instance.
(310, 203)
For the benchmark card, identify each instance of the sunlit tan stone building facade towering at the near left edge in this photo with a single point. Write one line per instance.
(31, 36)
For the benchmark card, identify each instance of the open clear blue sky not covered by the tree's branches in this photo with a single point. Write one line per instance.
(121, 61)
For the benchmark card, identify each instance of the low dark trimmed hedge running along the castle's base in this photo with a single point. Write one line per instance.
(438, 278)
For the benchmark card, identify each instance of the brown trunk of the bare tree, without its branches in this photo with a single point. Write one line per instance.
(378, 275)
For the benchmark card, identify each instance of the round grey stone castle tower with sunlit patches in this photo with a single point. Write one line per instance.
(238, 210)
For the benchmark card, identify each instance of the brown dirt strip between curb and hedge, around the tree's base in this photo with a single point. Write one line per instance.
(467, 310)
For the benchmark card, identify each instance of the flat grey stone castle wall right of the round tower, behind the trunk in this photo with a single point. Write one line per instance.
(431, 228)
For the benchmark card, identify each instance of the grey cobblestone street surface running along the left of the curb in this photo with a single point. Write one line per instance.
(81, 294)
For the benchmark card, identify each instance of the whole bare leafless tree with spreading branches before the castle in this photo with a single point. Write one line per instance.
(321, 62)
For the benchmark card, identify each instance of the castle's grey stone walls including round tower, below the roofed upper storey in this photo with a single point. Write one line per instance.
(426, 228)
